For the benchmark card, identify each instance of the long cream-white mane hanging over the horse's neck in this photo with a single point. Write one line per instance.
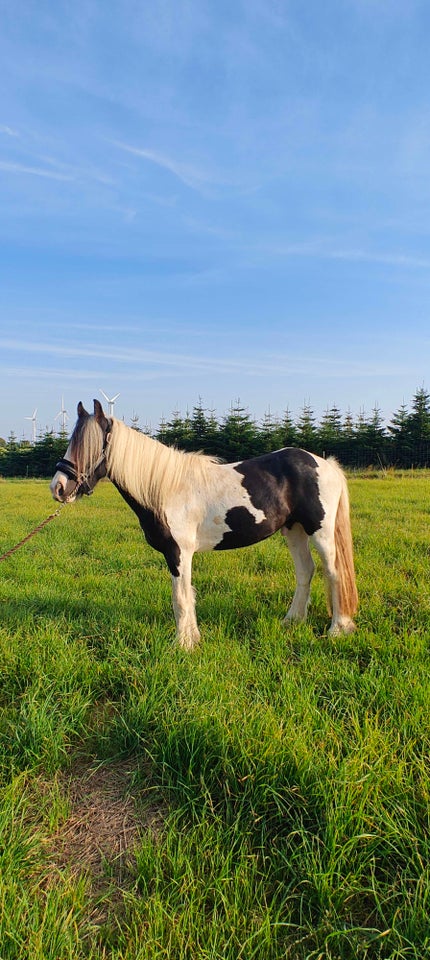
(150, 471)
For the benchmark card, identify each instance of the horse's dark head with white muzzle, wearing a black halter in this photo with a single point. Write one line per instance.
(84, 462)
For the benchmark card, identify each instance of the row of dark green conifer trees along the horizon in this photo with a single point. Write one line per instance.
(358, 442)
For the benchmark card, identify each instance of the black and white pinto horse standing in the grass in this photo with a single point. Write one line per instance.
(190, 502)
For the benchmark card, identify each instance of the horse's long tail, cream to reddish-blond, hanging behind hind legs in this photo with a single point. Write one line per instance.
(348, 596)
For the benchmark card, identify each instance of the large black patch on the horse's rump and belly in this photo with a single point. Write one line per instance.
(284, 486)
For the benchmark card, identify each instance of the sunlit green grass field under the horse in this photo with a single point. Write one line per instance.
(264, 797)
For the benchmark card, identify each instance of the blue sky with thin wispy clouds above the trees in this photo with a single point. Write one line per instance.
(215, 200)
